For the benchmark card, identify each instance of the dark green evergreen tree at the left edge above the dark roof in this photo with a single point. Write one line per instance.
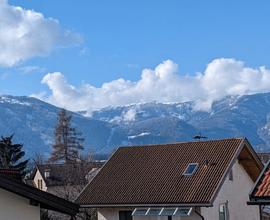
(11, 155)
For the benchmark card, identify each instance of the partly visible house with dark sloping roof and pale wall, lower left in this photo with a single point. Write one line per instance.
(21, 201)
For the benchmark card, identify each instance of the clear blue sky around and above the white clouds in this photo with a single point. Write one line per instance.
(118, 39)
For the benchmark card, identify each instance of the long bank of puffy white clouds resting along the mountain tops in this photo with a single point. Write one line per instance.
(222, 77)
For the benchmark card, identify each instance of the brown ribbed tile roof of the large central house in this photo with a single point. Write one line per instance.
(154, 174)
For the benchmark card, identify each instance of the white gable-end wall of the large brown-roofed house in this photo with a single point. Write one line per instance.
(236, 192)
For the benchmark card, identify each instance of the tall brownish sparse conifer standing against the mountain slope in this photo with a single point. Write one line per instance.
(68, 141)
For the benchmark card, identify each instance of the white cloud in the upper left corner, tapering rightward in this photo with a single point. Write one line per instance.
(25, 34)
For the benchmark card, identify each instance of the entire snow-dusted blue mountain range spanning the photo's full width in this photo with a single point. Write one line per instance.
(32, 121)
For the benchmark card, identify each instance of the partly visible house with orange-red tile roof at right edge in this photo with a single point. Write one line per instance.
(260, 194)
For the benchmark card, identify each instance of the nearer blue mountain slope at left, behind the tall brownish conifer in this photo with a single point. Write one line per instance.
(32, 122)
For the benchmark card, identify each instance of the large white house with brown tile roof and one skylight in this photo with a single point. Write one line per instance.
(188, 181)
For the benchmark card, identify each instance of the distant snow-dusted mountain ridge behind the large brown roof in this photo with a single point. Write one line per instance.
(232, 116)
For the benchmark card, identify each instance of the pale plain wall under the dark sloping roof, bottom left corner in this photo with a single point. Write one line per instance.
(14, 207)
